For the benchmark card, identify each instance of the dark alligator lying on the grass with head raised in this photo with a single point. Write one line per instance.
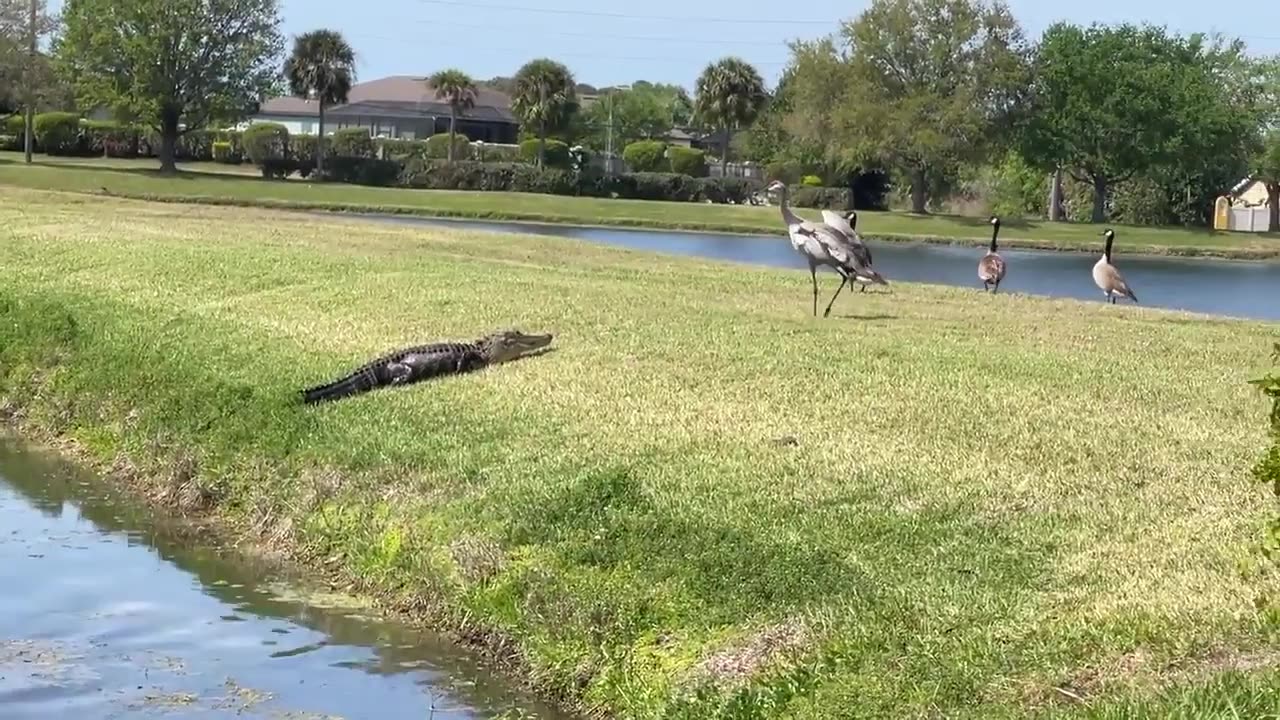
(423, 362)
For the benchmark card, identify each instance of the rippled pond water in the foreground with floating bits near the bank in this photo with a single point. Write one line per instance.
(107, 616)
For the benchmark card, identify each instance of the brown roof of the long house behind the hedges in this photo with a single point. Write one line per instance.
(396, 97)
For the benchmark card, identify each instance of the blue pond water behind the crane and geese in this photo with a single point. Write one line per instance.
(1219, 288)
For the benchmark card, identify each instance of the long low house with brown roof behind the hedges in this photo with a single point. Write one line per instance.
(403, 107)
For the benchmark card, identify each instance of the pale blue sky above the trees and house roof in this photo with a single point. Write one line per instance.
(671, 42)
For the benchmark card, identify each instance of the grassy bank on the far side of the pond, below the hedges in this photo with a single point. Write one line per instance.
(90, 176)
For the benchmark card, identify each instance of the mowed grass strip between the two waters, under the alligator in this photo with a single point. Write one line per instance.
(935, 503)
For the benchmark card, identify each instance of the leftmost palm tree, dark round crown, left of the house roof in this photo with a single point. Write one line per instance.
(323, 66)
